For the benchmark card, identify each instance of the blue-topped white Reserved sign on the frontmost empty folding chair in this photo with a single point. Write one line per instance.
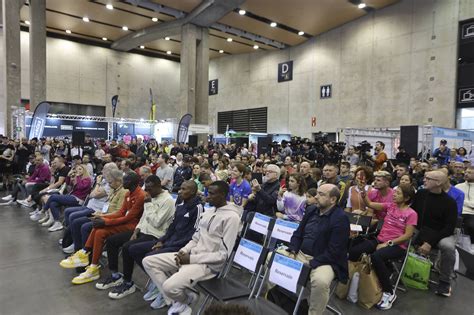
(285, 272)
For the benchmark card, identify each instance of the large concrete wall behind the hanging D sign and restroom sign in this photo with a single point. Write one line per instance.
(396, 66)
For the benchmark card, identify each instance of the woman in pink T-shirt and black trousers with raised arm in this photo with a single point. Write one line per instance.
(390, 244)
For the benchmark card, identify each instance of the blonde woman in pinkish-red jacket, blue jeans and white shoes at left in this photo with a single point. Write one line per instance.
(81, 187)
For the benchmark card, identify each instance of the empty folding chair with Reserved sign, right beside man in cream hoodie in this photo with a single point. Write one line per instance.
(250, 256)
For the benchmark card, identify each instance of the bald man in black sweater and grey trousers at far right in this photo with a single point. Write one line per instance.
(437, 218)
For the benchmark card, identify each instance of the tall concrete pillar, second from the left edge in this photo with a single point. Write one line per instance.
(37, 52)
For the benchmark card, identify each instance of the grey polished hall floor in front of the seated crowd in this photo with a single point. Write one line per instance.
(32, 282)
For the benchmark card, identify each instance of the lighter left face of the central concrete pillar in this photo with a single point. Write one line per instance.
(188, 70)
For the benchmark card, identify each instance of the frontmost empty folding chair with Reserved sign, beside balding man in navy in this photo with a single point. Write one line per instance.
(289, 274)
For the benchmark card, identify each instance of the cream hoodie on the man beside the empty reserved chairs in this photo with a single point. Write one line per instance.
(213, 241)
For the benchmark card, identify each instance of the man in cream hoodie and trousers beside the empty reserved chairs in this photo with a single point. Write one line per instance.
(202, 258)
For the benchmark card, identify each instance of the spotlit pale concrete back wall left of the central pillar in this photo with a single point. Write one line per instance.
(84, 74)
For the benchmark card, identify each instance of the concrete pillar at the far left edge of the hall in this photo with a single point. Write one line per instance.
(11, 61)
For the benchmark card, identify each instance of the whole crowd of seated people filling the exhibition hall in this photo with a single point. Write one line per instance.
(176, 211)
